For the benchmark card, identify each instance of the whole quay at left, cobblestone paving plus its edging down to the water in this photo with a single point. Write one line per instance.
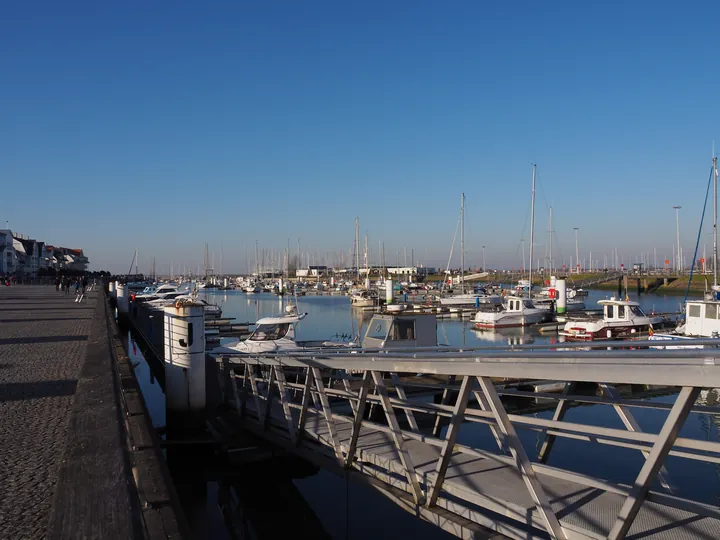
(69, 467)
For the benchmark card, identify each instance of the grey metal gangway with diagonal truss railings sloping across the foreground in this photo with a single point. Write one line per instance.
(315, 404)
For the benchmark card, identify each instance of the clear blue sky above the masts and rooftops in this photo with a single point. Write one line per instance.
(165, 125)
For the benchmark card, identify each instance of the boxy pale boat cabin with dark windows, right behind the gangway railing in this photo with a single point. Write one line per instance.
(401, 330)
